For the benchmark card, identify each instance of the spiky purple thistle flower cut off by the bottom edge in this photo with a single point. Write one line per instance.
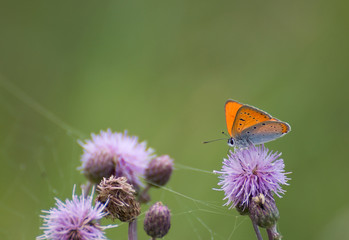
(74, 219)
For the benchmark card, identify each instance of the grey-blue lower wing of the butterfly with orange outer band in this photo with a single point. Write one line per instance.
(265, 131)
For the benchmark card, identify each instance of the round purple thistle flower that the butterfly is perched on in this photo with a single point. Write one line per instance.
(251, 171)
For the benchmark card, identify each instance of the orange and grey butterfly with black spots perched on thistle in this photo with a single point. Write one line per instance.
(248, 125)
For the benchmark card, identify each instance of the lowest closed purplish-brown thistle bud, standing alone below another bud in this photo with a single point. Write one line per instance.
(157, 220)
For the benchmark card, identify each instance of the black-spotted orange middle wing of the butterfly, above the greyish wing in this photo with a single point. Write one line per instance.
(248, 116)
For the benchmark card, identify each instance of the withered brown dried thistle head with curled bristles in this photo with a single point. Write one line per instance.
(120, 197)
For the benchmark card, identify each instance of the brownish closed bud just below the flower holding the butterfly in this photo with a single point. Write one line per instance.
(263, 211)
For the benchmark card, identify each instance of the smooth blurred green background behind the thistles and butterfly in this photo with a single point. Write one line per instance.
(163, 70)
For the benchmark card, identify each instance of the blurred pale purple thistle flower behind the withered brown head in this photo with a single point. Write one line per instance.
(115, 154)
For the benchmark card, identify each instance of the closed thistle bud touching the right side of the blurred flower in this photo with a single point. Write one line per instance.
(159, 170)
